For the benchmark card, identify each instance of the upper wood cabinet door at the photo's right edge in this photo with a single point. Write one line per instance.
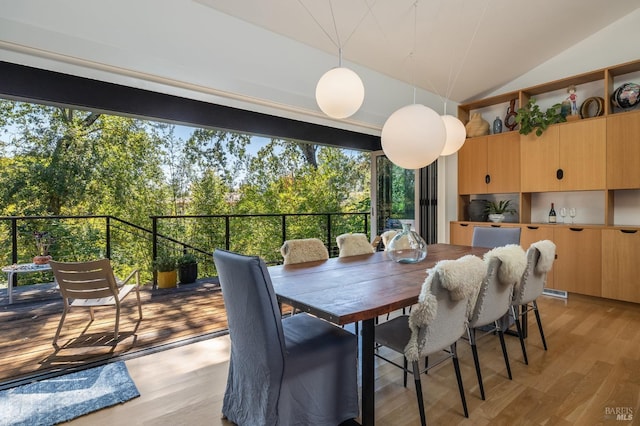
(623, 151)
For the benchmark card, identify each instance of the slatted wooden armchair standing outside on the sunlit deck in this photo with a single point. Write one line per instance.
(90, 284)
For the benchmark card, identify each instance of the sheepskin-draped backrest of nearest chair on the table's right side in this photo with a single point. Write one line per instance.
(440, 317)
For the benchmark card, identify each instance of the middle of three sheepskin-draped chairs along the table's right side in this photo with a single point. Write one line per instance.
(505, 266)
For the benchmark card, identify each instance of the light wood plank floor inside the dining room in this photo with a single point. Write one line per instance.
(592, 368)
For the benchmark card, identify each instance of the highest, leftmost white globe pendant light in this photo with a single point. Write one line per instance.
(339, 92)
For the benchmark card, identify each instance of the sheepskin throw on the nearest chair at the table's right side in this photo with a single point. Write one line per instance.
(460, 277)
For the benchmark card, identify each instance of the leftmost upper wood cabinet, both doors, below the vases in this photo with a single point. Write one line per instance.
(490, 164)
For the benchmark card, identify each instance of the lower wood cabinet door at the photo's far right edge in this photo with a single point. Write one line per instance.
(620, 265)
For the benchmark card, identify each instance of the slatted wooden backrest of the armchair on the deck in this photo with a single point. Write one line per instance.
(85, 280)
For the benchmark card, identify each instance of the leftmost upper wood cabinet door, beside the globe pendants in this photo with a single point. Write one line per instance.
(472, 166)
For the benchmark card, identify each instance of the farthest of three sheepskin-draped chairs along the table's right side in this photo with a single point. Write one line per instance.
(540, 258)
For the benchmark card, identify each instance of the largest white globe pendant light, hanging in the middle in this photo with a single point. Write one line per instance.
(413, 137)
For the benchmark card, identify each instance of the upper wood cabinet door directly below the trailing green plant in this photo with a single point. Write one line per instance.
(539, 161)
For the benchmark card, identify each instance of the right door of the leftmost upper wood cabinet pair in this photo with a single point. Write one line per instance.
(503, 163)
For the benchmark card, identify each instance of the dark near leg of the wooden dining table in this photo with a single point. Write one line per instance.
(368, 372)
